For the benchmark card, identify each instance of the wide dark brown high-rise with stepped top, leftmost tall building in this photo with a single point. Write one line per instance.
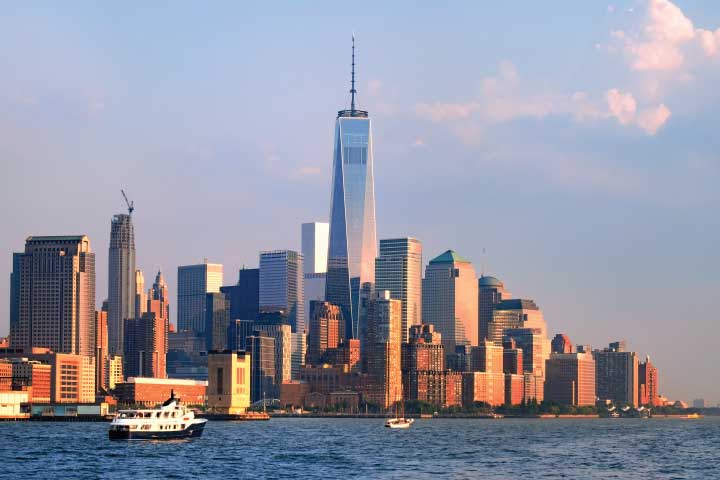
(56, 297)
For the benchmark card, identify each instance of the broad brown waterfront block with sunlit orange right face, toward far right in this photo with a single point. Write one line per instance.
(570, 379)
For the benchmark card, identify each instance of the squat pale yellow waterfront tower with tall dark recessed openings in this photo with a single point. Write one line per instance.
(228, 382)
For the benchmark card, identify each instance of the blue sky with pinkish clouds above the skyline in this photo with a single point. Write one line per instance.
(575, 143)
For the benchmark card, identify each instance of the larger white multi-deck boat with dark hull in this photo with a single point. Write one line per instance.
(169, 421)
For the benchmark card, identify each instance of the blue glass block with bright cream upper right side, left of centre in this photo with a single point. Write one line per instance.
(194, 283)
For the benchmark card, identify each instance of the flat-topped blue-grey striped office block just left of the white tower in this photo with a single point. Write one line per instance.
(281, 286)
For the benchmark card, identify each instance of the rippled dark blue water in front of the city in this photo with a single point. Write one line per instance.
(360, 448)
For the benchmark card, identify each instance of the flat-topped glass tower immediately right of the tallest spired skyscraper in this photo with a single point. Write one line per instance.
(399, 270)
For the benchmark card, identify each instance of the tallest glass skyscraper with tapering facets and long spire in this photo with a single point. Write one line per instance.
(352, 245)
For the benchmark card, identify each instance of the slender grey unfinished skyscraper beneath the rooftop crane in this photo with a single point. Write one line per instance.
(121, 280)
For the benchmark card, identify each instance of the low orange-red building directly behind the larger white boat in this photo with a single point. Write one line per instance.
(152, 391)
